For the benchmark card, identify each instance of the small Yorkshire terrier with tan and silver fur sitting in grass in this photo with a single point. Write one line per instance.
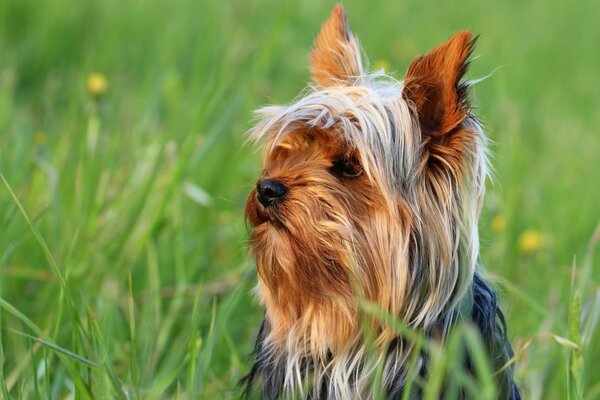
(371, 189)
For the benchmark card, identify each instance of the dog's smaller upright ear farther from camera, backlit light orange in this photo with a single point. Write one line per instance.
(335, 57)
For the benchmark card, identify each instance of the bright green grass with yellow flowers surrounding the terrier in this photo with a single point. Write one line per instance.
(119, 278)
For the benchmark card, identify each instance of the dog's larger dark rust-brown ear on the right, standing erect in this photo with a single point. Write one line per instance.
(433, 84)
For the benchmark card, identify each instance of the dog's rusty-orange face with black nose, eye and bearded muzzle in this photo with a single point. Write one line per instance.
(306, 210)
